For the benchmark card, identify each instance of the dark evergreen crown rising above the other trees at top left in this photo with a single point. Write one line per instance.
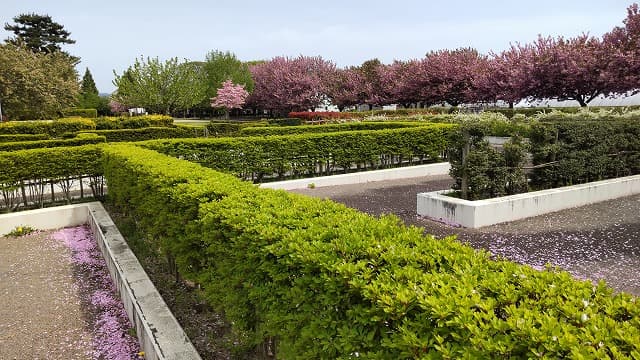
(39, 33)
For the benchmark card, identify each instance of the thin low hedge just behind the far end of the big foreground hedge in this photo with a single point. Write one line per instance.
(149, 133)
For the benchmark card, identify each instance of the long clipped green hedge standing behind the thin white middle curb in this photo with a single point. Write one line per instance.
(258, 158)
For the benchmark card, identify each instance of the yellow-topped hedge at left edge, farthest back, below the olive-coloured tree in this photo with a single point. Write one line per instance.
(53, 128)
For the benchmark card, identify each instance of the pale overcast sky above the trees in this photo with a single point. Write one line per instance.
(111, 34)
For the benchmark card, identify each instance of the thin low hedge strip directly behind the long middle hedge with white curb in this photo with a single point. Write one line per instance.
(304, 129)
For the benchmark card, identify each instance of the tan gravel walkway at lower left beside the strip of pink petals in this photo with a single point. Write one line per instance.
(41, 315)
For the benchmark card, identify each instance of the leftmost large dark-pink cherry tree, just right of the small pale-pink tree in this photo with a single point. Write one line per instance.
(287, 84)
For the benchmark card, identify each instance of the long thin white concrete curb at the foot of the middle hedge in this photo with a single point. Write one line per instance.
(362, 177)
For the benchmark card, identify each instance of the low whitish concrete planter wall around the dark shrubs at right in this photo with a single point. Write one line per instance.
(475, 214)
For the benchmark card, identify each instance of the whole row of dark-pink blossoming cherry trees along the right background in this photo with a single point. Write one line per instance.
(579, 68)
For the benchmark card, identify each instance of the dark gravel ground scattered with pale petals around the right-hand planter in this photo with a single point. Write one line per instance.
(598, 241)
